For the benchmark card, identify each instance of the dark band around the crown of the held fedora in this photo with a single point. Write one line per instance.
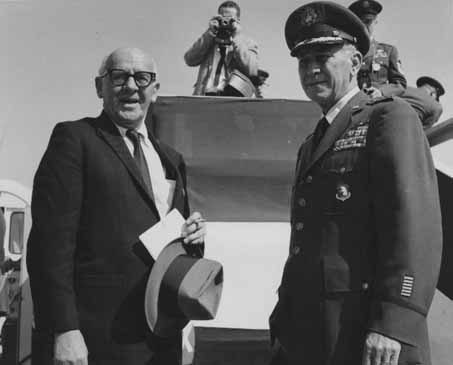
(171, 281)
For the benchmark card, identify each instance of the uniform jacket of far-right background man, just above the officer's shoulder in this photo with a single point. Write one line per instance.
(428, 109)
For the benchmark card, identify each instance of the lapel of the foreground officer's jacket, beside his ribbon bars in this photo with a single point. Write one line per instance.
(336, 129)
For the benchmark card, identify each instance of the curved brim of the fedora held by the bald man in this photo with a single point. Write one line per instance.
(157, 320)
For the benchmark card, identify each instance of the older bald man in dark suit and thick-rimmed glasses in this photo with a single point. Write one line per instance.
(101, 183)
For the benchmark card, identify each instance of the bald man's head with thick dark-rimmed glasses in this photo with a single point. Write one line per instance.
(127, 83)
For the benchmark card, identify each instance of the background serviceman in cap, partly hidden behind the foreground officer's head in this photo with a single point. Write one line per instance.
(381, 73)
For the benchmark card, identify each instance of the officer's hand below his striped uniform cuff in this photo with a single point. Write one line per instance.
(380, 350)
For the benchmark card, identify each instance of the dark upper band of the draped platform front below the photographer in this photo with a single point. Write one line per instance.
(240, 156)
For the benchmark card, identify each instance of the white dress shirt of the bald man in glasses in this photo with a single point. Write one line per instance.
(163, 189)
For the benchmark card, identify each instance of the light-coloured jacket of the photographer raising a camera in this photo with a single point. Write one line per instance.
(243, 56)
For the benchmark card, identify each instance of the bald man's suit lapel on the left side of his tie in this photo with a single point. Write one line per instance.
(107, 131)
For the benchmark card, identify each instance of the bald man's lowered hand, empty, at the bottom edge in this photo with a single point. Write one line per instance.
(70, 349)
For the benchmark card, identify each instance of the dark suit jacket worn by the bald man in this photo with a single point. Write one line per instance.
(87, 268)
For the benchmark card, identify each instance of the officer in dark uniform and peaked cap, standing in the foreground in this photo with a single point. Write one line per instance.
(365, 218)
